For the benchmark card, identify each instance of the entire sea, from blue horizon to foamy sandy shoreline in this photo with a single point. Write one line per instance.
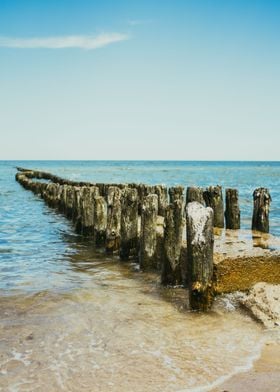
(74, 319)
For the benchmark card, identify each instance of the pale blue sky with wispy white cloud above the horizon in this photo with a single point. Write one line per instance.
(127, 79)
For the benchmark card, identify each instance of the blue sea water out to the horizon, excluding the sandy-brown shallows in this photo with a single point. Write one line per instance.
(36, 244)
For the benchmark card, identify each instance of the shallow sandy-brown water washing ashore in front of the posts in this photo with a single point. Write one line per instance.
(120, 332)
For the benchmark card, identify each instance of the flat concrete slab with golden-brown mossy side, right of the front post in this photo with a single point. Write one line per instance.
(244, 258)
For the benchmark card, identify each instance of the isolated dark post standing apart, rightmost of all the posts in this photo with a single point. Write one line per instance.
(262, 200)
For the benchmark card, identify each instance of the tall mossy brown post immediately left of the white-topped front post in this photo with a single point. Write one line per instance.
(171, 267)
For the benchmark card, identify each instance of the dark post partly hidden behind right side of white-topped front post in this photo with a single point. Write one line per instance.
(213, 197)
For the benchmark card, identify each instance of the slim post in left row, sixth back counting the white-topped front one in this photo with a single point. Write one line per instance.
(100, 221)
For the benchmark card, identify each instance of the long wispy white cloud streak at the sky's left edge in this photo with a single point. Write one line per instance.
(71, 41)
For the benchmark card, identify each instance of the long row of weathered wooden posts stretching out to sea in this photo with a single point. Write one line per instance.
(124, 220)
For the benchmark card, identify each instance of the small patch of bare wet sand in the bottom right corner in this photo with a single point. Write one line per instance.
(263, 377)
